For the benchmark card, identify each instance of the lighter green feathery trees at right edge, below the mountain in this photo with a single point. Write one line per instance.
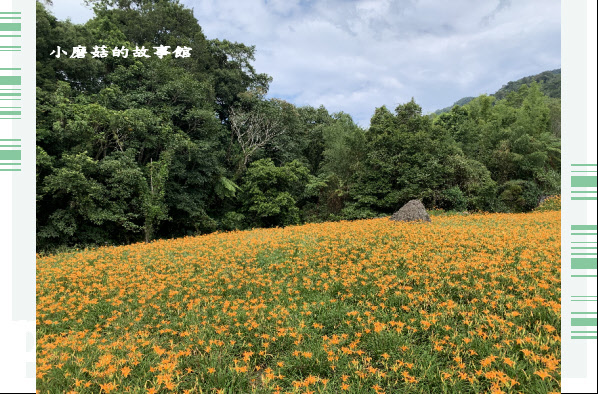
(516, 139)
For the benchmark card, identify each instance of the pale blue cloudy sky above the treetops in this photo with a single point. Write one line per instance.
(354, 56)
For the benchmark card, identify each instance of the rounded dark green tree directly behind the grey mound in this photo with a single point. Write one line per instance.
(409, 157)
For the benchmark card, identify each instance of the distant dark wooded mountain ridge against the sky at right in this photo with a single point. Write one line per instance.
(550, 85)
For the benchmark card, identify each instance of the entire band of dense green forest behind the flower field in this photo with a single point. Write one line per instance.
(134, 149)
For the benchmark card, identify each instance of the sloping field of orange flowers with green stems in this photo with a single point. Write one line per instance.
(466, 304)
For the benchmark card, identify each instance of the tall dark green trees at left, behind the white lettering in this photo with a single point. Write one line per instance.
(158, 120)
